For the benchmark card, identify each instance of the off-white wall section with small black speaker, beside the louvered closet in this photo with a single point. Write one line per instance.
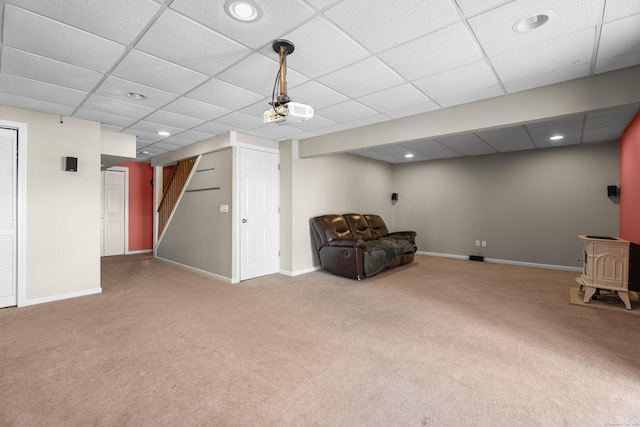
(62, 208)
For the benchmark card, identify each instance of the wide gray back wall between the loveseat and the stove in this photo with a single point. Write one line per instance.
(529, 206)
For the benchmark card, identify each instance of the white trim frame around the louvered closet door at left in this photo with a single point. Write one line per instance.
(21, 217)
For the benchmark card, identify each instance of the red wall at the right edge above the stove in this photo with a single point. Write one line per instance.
(630, 182)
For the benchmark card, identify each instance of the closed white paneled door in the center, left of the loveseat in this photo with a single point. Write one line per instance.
(259, 235)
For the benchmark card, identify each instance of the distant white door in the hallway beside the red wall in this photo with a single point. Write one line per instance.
(114, 212)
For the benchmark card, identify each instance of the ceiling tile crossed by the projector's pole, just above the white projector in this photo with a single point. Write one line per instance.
(259, 74)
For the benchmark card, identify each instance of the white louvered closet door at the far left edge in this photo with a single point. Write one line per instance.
(8, 174)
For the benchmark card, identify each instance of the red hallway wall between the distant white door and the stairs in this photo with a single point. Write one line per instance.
(140, 206)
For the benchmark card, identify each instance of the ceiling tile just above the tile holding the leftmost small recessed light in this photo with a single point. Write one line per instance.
(157, 73)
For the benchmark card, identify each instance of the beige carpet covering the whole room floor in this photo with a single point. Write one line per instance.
(438, 342)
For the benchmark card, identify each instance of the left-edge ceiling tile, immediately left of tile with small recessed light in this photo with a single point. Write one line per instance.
(35, 67)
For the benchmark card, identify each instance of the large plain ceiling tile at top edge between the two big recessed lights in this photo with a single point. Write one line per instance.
(379, 26)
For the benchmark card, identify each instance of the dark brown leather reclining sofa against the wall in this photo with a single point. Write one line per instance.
(358, 246)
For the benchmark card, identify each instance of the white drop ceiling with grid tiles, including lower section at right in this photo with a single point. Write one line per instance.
(357, 62)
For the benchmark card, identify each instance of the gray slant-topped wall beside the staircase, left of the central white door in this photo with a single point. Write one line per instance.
(199, 235)
